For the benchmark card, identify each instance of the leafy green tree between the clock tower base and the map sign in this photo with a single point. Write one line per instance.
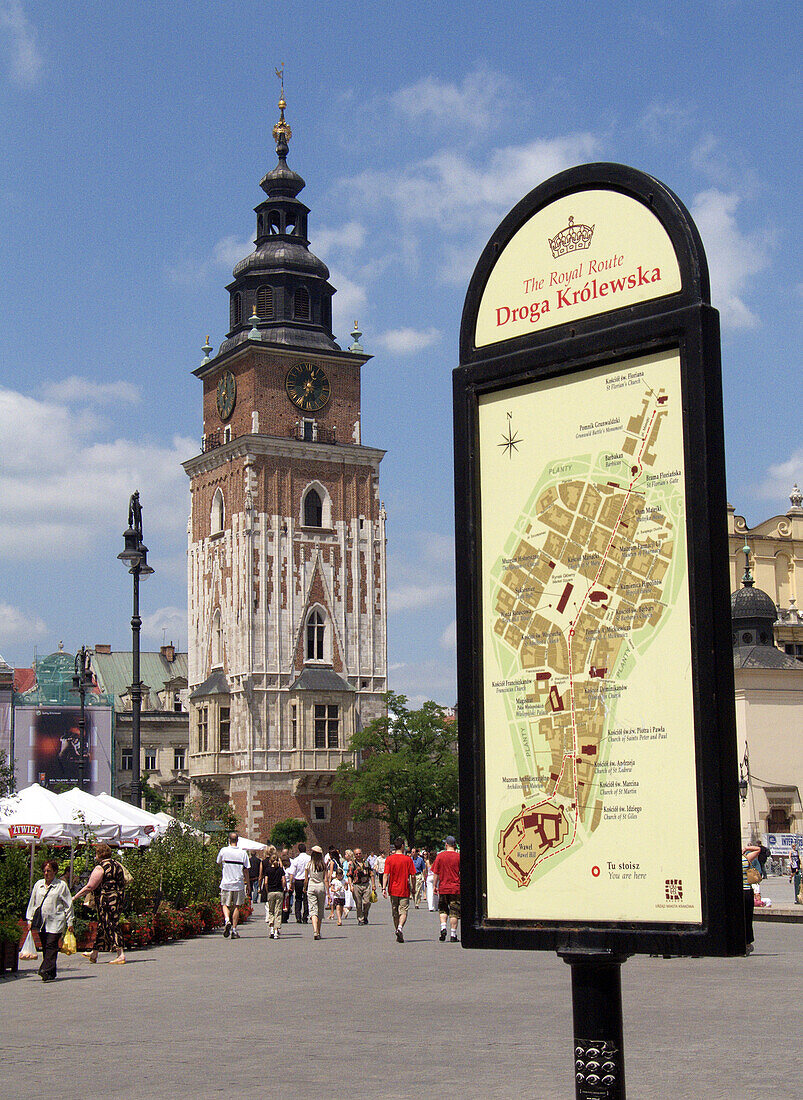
(408, 774)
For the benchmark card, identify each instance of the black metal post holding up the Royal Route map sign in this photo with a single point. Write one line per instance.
(597, 1010)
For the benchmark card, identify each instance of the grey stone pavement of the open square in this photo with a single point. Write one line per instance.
(359, 1015)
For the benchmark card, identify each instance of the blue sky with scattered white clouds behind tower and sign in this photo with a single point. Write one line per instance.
(135, 138)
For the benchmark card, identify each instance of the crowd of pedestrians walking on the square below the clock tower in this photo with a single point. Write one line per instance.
(315, 886)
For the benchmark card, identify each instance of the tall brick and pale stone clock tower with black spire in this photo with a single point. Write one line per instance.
(287, 541)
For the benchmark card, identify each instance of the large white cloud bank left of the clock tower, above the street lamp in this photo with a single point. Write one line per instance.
(64, 491)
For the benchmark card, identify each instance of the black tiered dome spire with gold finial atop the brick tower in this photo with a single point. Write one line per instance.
(282, 282)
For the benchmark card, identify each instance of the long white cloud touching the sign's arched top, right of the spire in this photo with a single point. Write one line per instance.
(458, 195)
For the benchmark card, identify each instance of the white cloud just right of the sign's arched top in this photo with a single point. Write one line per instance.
(734, 258)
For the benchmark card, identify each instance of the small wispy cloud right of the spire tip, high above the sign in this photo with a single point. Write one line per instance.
(466, 104)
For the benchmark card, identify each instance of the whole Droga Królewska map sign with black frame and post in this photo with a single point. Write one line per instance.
(598, 750)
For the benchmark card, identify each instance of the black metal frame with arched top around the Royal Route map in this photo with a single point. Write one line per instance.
(684, 322)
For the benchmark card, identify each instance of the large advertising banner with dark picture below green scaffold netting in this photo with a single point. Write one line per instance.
(48, 747)
